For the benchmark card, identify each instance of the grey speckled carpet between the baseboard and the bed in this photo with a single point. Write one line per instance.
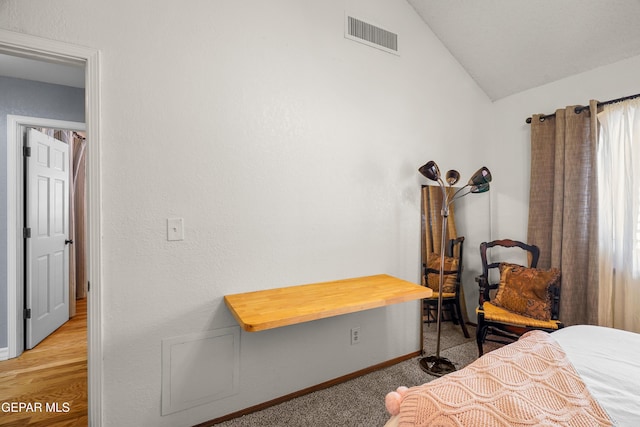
(360, 402)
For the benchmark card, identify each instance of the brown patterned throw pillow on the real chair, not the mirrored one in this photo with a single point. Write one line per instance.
(525, 290)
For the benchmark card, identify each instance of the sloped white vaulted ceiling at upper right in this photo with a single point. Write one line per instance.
(509, 46)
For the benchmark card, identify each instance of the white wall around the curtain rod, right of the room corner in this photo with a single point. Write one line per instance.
(510, 135)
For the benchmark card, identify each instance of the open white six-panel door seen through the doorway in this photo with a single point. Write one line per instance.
(47, 224)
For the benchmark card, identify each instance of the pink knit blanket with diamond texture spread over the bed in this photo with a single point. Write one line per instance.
(530, 382)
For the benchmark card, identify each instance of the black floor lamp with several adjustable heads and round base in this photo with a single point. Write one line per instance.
(479, 183)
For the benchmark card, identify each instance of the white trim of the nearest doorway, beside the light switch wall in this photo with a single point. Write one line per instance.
(32, 47)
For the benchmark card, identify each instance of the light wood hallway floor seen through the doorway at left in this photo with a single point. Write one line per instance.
(54, 372)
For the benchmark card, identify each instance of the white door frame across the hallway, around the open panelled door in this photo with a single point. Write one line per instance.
(15, 221)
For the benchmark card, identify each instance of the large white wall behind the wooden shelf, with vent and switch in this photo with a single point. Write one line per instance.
(292, 155)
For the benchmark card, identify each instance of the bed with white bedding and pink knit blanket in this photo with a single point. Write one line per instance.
(579, 375)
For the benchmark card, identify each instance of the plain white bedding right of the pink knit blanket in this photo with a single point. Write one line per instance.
(608, 360)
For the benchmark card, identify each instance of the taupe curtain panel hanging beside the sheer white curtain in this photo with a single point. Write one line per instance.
(563, 207)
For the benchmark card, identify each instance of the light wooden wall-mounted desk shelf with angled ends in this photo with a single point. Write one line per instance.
(273, 308)
